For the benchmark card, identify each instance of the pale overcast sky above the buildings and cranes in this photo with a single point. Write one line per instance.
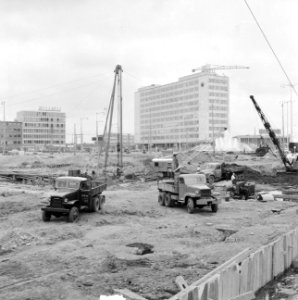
(63, 53)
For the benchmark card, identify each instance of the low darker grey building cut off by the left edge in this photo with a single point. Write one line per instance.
(10, 136)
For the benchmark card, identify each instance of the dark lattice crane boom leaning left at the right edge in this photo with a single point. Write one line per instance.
(290, 166)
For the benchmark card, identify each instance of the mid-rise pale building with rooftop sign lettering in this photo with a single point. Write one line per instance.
(42, 128)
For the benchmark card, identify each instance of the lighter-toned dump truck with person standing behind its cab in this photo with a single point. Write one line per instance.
(187, 189)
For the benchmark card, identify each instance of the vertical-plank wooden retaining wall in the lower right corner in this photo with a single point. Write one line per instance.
(244, 274)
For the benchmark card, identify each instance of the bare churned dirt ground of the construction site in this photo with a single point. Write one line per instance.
(60, 260)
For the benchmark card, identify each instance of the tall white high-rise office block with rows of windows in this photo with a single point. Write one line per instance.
(189, 111)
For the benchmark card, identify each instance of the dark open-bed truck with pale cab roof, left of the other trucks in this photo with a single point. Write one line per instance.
(72, 195)
